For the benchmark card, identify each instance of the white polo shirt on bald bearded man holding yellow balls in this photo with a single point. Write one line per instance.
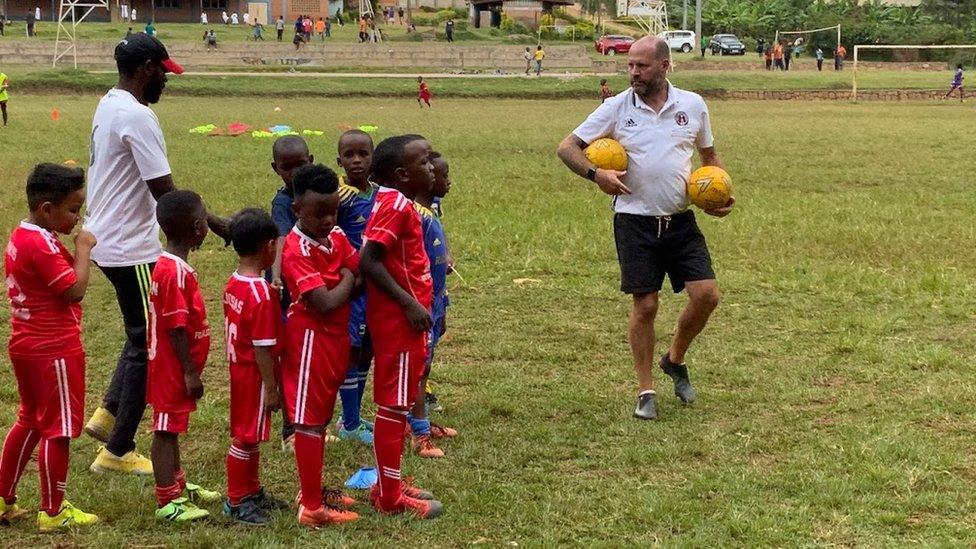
(659, 146)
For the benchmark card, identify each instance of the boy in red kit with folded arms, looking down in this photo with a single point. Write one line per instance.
(318, 266)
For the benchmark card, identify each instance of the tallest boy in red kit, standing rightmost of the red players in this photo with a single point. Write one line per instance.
(399, 293)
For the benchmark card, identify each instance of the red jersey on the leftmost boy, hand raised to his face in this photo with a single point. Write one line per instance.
(44, 323)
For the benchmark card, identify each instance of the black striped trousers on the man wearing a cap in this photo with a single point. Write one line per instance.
(126, 395)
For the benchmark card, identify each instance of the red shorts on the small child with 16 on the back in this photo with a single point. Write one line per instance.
(249, 421)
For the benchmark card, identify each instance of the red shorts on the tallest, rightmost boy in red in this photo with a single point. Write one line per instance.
(396, 377)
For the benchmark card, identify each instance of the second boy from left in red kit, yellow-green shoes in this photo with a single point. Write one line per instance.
(178, 342)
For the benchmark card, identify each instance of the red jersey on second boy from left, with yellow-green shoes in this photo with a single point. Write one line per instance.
(174, 302)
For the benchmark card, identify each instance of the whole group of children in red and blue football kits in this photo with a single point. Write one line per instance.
(343, 273)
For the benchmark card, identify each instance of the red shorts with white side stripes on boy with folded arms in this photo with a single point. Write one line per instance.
(313, 368)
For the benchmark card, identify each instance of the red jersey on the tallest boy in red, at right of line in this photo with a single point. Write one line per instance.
(396, 225)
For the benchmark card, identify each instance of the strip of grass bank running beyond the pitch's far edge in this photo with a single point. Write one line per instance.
(47, 82)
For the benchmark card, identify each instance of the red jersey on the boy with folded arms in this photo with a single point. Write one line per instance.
(307, 264)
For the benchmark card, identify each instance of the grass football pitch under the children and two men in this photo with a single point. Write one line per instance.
(835, 379)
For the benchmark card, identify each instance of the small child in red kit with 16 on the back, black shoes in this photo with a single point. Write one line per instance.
(252, 327)
